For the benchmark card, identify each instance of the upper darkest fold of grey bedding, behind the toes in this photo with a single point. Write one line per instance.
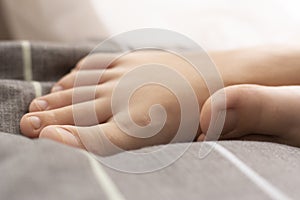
(49, 61)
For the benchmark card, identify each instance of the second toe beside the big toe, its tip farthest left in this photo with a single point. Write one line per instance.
(82, 114)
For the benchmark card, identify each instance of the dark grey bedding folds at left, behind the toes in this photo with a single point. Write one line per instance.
(49, 62)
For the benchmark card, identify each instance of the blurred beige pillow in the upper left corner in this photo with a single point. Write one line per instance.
(60, 21)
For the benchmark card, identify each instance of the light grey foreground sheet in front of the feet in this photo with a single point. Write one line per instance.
(42, 169)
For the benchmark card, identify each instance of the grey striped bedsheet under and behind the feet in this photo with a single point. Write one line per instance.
(43, 169)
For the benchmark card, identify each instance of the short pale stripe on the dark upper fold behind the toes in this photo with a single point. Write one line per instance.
(27, 62)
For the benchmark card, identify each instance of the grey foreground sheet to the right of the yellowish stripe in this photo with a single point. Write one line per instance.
(214, 177)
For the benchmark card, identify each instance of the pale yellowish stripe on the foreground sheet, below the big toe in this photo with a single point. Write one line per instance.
(103, 179)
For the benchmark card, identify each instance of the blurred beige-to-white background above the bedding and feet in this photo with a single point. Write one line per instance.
(214, 24)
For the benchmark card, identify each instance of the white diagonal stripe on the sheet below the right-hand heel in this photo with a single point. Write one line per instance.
(262, 183)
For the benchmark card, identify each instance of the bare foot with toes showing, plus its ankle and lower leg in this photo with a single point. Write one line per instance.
(53, 116)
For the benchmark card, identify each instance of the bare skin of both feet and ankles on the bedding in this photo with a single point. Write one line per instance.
(251, 108)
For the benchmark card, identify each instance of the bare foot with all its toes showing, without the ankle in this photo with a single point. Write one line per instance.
(56, 115)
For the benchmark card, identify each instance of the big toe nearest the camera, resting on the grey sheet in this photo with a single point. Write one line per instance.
(103, 139)
